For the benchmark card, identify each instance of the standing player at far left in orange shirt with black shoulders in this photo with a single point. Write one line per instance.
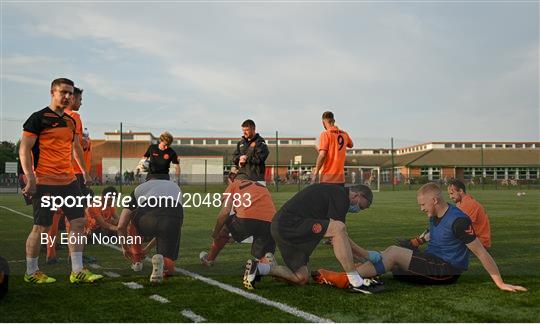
(45, 153)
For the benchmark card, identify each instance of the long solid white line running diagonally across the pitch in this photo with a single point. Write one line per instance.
(283, 307)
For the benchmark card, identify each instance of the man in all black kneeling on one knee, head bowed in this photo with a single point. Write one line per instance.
(317, 211)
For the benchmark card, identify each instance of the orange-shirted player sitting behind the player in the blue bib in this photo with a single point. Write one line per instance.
(476, 212)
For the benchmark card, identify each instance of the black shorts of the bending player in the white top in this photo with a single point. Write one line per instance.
(164, 224)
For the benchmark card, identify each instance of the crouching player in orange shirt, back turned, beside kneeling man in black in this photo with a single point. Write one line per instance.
(251, 215)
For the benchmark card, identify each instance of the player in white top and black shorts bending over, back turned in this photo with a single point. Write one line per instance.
(162, 222)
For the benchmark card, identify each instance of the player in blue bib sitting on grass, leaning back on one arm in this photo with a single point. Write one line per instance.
(446, 256)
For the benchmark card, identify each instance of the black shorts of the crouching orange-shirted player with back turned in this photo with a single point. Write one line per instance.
(242, 228)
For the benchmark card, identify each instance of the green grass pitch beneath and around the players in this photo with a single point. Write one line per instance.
(515, 235)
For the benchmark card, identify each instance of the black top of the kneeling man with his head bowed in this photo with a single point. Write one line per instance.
(318, 201)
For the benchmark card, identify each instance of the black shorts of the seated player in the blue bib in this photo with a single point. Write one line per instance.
(428, 269)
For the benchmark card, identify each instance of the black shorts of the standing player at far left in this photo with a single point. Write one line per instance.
(43, 215)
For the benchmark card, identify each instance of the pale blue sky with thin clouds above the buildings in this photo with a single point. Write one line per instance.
(415, 71)
